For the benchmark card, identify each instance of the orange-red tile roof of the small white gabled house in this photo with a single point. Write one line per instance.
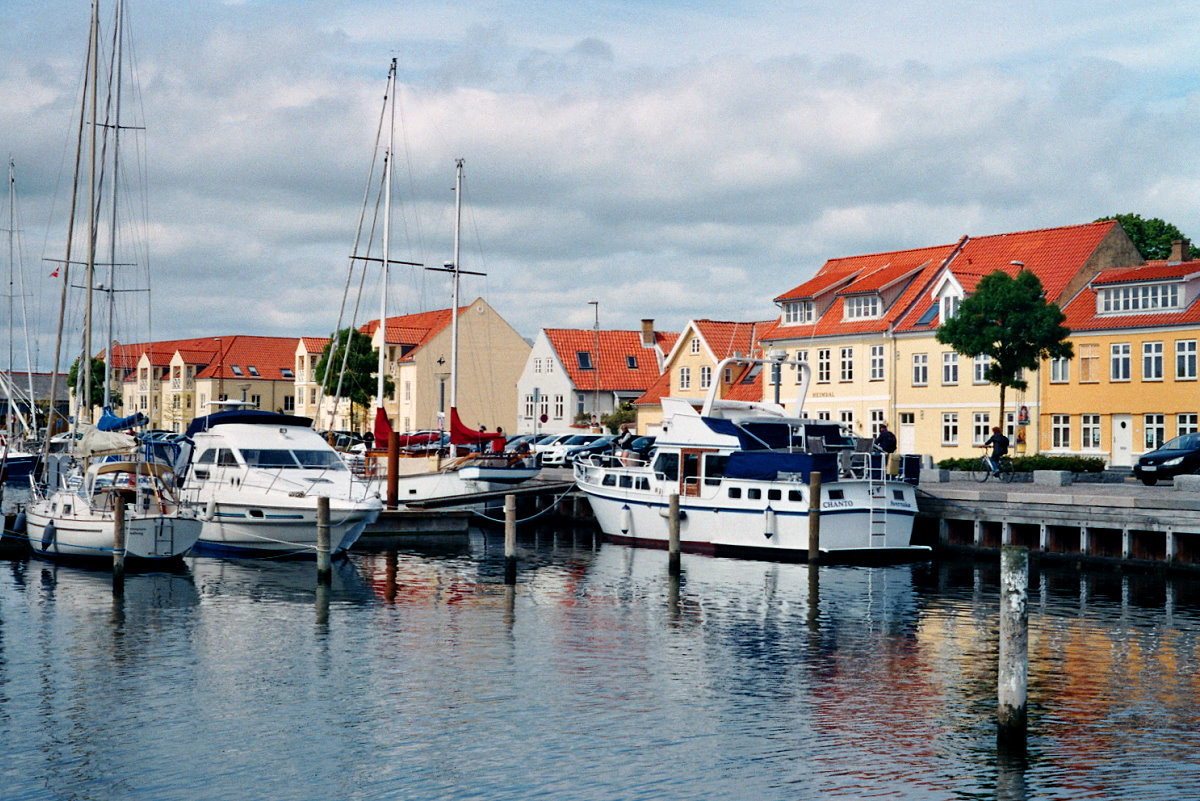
(611, 369)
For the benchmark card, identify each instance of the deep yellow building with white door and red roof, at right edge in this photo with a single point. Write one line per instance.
(1133, 383)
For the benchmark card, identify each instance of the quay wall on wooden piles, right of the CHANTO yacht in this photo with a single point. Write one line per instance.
(1123, 523)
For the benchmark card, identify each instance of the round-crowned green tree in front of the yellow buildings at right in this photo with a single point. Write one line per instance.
(1010, 321)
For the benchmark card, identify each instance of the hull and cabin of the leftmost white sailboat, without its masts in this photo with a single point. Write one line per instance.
(79, 521)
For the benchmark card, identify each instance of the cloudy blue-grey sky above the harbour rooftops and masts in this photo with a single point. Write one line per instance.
(669, 160)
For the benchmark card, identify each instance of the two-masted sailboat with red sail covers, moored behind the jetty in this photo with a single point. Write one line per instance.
(483, 466)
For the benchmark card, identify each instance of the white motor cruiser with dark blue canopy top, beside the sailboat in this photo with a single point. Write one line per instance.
(256, 478)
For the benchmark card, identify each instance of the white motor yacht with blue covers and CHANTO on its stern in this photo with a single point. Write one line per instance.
(742, 475)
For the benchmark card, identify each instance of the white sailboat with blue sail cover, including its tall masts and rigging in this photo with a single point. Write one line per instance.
(77, 520)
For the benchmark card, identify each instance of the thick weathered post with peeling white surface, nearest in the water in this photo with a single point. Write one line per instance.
(1015, 647)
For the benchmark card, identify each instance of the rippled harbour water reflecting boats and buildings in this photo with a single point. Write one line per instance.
(422, 676)
